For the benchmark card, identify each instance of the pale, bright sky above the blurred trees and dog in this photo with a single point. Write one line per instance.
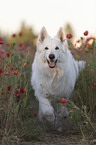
(52, 14)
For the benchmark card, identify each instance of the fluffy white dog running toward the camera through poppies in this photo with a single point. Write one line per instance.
(54, 73)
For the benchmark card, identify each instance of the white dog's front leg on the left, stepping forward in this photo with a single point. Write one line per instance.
(46, 111)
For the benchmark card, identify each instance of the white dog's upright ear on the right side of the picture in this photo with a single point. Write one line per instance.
(62, 37)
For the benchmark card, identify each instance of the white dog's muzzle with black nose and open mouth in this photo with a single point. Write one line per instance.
(51, 61)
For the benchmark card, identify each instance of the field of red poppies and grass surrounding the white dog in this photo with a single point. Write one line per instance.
(19, 122)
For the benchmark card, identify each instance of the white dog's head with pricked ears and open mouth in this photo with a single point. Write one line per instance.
(49, 49)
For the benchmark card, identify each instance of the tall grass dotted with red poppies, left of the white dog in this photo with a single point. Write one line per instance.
(17, 119)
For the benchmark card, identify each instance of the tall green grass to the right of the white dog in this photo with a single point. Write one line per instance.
(82, 105)
